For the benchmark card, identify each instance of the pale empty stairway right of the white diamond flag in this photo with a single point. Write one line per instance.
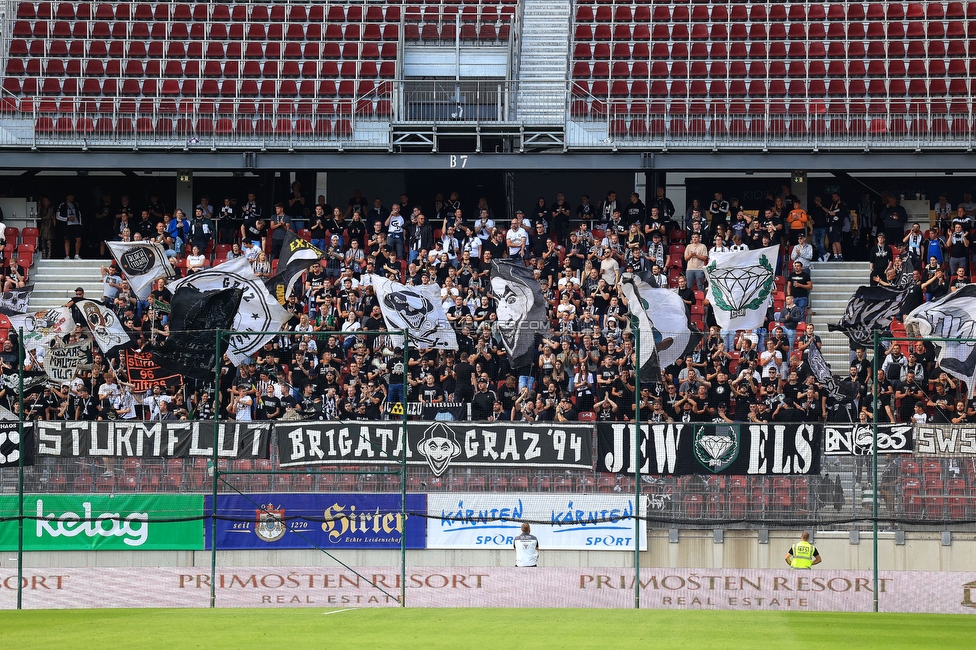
(833, 285)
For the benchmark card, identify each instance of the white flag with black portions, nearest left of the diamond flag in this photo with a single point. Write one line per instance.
(660, 317)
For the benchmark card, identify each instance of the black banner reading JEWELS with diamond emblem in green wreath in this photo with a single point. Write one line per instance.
(678, 448)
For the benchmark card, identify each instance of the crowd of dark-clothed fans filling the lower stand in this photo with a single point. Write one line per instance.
(332, 368)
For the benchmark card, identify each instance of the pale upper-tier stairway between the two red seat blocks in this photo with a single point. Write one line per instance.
(544, 61)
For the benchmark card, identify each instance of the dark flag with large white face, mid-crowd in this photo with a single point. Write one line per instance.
(520, 309)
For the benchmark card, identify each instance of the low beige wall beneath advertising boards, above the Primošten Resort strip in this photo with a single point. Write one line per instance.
(696, 548)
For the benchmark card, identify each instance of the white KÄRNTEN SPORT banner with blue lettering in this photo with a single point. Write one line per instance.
(582, 522)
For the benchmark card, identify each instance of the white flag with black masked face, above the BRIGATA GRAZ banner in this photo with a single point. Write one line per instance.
(416, 309)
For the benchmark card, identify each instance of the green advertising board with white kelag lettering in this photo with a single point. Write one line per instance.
(104, 522)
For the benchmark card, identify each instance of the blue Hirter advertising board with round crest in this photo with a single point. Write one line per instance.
(293, 521)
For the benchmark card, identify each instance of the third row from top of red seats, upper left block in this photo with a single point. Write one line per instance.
(120, 49)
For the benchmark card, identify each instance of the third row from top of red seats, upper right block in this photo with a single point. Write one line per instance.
(737, 50)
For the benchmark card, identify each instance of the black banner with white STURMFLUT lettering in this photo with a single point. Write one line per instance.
(139, 439)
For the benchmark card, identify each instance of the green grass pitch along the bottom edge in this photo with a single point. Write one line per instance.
(455, 629)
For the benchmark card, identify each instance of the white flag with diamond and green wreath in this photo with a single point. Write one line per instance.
(740, 287)
